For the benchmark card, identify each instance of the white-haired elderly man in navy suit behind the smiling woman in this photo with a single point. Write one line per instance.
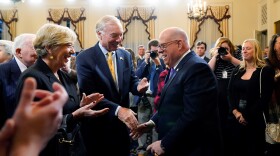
(24, 56)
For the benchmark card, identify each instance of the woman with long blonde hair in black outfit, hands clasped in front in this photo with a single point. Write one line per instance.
(250, 90)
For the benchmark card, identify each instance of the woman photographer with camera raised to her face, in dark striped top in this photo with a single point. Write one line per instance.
(224, 58)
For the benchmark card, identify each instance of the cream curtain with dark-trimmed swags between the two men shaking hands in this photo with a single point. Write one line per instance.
(138, 24)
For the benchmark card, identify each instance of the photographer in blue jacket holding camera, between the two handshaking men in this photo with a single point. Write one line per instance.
(150, 68)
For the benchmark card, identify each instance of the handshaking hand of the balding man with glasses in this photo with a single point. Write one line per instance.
(142, 128)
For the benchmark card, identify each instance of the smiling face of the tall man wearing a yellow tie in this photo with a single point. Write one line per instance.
(111, 36)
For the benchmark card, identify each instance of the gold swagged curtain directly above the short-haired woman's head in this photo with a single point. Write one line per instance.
(76, 17)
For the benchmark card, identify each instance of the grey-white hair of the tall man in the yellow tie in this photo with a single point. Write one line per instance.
(105, 20)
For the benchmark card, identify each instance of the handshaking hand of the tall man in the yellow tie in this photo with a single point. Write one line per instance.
(127, 116)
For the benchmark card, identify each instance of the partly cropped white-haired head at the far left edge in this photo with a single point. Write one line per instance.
(5, 51)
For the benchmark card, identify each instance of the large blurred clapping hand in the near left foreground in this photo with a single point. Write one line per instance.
(36, 121)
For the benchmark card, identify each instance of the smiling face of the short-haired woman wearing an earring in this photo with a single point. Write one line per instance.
(61, 55)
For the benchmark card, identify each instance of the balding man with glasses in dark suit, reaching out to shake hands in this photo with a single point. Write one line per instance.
(187, 119)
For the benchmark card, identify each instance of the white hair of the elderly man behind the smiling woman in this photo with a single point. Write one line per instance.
(21, 40)
